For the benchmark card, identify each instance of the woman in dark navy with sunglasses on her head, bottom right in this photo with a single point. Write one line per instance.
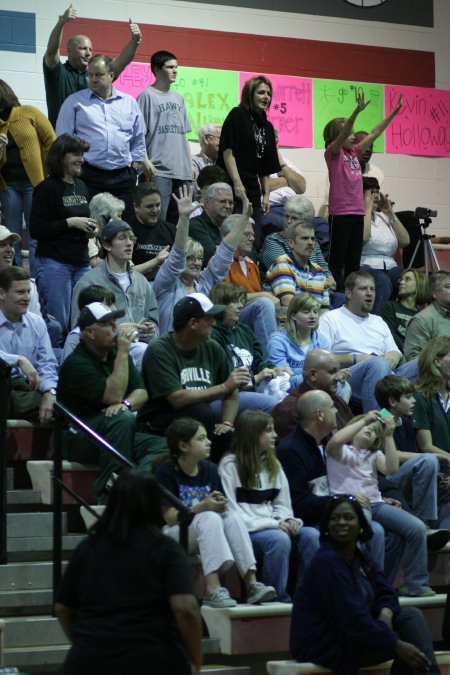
(345, 614)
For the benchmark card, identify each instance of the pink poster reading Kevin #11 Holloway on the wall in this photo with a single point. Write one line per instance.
(422, 126)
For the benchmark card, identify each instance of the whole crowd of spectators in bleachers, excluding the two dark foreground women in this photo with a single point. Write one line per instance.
(174, 288)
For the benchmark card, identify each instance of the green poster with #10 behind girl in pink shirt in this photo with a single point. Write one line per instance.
(337, 98)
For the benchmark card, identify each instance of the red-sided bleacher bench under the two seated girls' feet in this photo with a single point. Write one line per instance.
(253, 629)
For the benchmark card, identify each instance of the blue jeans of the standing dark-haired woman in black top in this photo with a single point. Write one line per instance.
(55, 282)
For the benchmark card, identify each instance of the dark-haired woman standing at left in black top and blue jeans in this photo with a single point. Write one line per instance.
(61, 223)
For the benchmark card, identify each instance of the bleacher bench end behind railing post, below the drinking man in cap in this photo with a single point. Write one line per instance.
(80, 477)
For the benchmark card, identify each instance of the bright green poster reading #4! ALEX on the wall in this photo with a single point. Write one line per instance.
(208, 95)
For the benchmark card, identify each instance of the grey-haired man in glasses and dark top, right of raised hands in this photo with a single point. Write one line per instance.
(218, 203)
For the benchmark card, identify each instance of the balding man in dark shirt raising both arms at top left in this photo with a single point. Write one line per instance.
(63, 79)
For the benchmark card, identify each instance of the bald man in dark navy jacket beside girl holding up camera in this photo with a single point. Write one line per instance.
(303, 458)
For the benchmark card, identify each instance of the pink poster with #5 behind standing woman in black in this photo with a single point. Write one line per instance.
(291, 109)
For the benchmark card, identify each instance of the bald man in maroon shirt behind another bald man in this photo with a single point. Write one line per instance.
(320, 371)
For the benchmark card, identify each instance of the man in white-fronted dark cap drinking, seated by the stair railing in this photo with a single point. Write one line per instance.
(100, 384)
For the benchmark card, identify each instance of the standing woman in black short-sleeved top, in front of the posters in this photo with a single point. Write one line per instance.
(248, 149)
